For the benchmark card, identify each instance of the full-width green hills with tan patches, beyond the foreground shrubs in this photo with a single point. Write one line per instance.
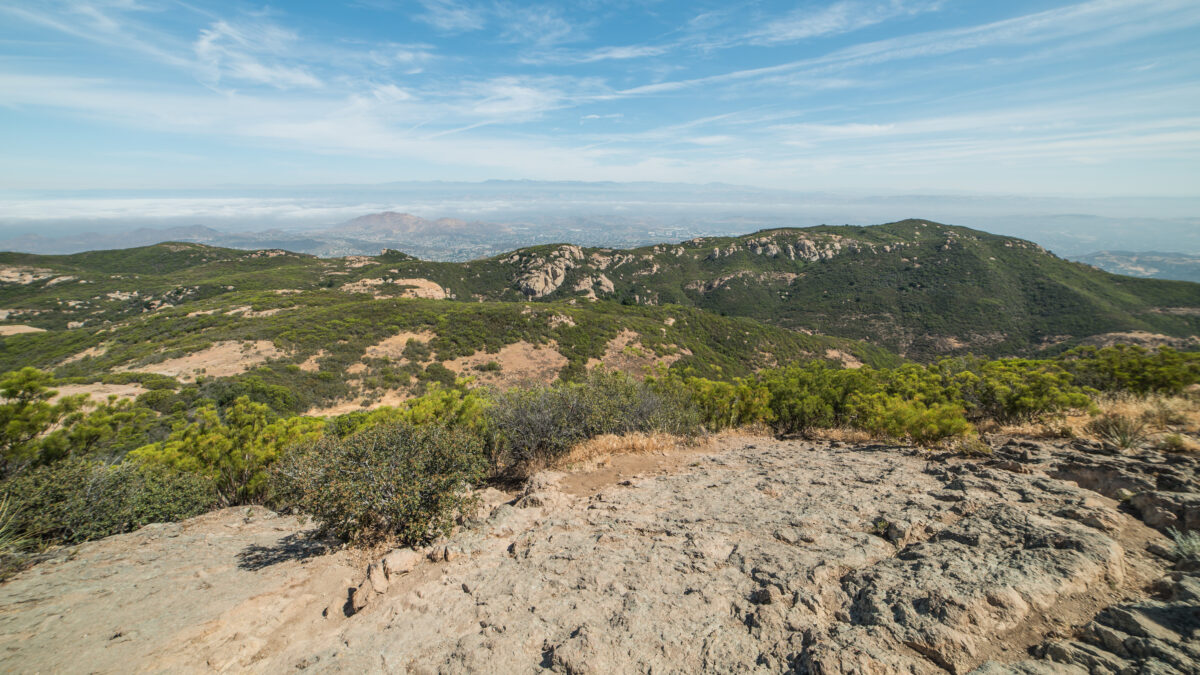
(719, 307)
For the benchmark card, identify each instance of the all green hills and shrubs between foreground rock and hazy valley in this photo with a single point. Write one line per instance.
(227, 378)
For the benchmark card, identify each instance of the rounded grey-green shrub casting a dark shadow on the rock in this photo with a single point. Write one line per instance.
(394, 481)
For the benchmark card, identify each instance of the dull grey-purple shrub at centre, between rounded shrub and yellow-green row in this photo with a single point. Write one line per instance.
(536, 426)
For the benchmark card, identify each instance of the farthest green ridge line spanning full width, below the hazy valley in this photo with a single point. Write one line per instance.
(919, 289)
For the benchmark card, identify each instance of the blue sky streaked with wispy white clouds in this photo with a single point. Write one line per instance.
(1085, 98)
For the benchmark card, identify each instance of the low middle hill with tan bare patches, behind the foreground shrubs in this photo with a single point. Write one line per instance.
(331, 347)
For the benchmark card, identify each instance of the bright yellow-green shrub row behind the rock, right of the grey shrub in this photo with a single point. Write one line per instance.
(914, 403)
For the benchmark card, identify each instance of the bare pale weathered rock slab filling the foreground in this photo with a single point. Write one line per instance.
(765, 555)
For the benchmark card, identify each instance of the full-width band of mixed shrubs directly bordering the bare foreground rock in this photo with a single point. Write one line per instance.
(71, 473)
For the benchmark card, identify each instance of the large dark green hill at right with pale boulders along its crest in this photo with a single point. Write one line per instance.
(916, 288)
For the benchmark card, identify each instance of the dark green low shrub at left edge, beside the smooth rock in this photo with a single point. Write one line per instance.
(77, 500)
